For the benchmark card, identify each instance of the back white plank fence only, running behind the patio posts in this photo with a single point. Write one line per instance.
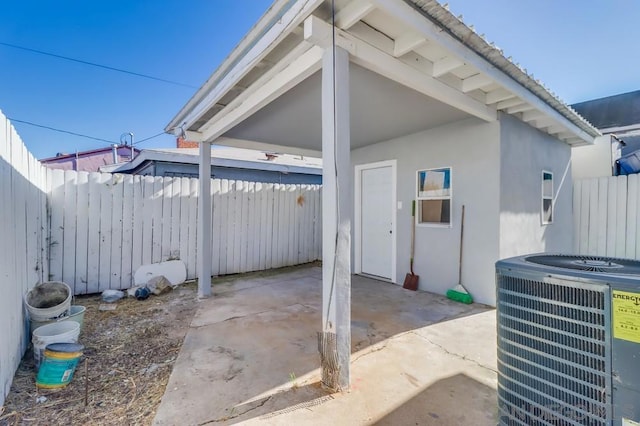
(105, 226)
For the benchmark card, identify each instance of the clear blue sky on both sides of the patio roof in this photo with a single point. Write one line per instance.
(581, 49)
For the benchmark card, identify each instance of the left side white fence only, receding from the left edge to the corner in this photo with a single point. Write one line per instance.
(23, 233)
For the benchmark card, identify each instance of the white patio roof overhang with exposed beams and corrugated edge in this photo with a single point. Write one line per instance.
(427, 66)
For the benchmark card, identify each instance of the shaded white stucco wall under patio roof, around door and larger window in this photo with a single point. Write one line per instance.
(472, 149)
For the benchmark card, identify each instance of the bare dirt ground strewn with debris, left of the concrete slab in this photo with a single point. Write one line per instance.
(129, 354)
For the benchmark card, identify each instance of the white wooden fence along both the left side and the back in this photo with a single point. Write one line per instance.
(91, 230)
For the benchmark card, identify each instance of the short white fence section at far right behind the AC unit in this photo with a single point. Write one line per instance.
(606, 216)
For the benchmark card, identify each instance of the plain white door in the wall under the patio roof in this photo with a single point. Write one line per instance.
(376, 221)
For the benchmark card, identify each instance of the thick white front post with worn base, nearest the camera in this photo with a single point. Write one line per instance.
(336, 220)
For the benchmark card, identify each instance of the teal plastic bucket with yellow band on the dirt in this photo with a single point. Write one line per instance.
(59, 364)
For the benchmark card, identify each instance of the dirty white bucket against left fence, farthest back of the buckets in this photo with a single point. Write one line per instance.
(48, 300)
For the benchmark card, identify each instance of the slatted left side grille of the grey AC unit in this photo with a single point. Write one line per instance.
(553, 356)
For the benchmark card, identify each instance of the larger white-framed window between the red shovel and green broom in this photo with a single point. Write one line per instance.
(434, 196)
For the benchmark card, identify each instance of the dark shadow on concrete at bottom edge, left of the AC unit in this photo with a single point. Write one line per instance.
(456, 400)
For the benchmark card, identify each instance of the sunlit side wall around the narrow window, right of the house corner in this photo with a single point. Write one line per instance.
(524, 153)
